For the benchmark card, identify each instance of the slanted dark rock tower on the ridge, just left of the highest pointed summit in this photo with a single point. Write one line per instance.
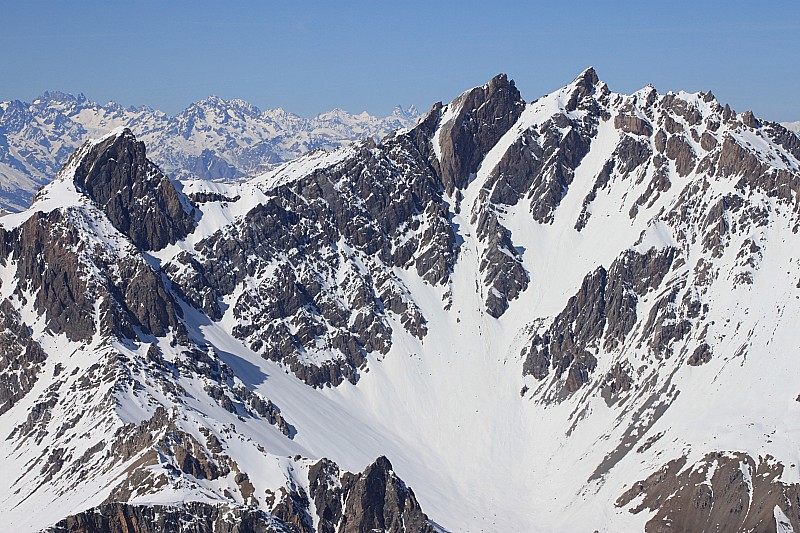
(484, 115)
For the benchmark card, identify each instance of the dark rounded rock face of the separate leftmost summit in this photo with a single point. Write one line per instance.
(139, 200)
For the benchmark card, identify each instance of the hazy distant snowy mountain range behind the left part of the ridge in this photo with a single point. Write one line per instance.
(210, 139)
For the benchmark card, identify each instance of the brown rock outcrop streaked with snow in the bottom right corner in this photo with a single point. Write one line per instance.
(740, 495)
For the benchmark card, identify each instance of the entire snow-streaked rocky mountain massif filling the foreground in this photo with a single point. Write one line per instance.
(572, 314)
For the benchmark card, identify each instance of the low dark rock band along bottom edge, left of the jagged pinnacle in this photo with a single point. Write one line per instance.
(194, 517)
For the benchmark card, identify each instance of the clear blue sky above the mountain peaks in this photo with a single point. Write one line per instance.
(311, 56)
